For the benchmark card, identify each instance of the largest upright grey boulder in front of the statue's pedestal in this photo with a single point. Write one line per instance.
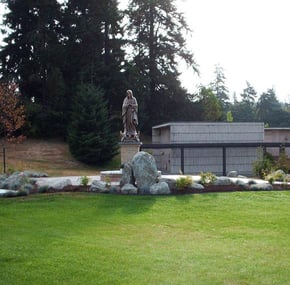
(144, 171)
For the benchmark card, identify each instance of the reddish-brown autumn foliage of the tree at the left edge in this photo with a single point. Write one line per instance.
(12, 112)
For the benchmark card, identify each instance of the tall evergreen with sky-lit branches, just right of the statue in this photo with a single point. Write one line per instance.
(156, 31)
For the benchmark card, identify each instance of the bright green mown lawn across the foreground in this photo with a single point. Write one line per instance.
(227, 238)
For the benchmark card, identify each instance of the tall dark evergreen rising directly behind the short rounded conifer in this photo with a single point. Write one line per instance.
(93, 39)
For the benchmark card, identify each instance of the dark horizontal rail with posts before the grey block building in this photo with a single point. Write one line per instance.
(223, 146)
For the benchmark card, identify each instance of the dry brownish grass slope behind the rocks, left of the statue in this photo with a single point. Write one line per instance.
(50, 156)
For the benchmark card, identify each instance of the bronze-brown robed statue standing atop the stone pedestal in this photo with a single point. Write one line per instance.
(130, 118)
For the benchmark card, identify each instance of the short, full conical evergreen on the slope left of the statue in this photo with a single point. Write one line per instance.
(90, 135)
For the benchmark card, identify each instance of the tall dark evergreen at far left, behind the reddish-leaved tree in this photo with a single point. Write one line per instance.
(31, 56)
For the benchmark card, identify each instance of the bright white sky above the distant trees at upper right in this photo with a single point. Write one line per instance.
(248, 38)
